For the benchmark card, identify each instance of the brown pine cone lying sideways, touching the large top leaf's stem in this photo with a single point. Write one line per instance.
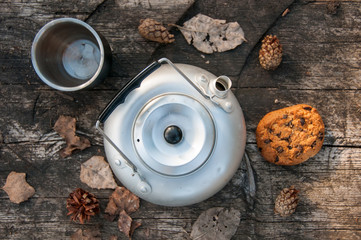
(154, 31)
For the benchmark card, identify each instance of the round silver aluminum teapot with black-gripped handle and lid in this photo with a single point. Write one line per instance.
(175, 134)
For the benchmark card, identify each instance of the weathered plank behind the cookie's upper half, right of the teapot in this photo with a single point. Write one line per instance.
(340, 110)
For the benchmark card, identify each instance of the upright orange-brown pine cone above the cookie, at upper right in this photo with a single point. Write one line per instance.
(270, 54)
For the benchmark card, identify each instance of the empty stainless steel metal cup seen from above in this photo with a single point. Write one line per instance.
(69, 55)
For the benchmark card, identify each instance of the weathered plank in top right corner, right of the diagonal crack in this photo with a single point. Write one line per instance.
(321, 51)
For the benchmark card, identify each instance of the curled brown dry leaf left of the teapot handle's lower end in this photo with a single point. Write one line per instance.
(65, 127)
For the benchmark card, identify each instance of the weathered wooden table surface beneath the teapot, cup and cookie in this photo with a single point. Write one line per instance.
(321, 67)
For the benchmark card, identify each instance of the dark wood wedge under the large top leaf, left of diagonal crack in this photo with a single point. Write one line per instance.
(255, 17)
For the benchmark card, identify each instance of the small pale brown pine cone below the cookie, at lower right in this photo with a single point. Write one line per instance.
(286, 202)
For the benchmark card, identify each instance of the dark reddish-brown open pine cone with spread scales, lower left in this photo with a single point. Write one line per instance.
(82, 205)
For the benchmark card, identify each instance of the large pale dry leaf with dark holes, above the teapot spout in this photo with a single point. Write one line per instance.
(210, 35)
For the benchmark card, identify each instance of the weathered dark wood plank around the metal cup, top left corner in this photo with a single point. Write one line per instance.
(116, 20)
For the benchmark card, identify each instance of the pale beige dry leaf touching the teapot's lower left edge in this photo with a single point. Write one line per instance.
(96, 173)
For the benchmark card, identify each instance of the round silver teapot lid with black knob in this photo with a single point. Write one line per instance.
(173, 134)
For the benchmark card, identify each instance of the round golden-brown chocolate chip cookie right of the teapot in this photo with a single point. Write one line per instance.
(291, 135)
